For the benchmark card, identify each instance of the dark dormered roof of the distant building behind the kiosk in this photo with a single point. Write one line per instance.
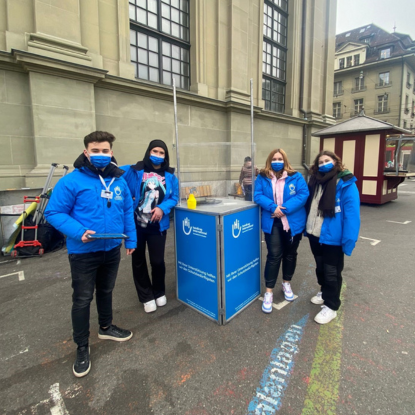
(400, 43)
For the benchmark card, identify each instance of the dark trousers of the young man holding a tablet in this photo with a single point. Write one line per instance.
(90, 271)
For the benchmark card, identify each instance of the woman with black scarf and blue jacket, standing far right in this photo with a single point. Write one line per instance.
(333, 222)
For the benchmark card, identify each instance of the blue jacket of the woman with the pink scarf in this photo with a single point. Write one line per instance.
(295, 197)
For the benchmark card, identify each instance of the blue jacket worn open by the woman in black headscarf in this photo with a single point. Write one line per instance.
(134, 178)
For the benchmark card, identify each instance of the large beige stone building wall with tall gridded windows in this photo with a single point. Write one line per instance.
(69, 67)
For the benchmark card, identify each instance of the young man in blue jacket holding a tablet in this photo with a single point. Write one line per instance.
(93, 199)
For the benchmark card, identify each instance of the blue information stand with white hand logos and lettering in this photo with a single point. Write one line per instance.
(218, 257)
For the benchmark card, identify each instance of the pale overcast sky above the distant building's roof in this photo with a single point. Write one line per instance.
(384, 13)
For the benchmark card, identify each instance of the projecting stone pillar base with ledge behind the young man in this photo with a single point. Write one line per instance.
(62, 110)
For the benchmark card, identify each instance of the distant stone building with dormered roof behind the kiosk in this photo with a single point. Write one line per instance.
(375, 69)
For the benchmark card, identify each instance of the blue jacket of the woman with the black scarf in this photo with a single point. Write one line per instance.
(343, 229)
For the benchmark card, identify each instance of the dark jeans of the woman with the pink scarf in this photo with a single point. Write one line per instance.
(281, 247)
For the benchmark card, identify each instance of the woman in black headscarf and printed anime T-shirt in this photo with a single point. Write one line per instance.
(155, 190)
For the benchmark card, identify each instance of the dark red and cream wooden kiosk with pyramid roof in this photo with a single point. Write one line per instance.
(379, 154)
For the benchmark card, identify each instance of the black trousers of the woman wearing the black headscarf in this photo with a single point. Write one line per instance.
(147, 289)
